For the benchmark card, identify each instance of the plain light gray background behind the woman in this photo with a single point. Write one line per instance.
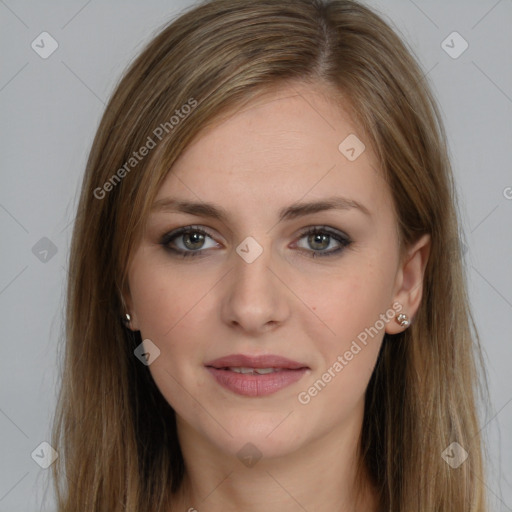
(50, 109)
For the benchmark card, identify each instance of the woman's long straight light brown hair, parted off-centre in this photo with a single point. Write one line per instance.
(113, 429)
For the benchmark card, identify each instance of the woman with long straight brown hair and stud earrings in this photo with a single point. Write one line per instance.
(263, 313)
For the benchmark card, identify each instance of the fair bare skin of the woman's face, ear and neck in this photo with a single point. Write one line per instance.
(279, 149)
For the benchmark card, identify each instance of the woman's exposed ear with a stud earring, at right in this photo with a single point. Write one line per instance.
(409, 281)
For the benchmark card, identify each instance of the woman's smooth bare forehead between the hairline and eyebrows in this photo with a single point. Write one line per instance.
(286, 144)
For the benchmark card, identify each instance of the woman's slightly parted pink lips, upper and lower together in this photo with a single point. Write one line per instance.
(256, 385)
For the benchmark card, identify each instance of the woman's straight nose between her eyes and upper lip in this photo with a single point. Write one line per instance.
(254, 298)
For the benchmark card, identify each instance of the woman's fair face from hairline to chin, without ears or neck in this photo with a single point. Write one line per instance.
(269, 317)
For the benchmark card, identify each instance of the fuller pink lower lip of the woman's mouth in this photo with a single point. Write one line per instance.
(256, 385)
